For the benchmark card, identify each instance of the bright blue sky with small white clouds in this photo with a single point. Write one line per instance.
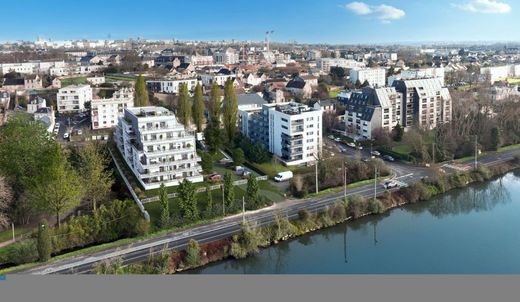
(303, 21)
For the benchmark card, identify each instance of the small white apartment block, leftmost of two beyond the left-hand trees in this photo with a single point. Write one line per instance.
(73, 98)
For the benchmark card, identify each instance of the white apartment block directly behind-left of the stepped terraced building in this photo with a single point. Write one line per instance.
(105, 113)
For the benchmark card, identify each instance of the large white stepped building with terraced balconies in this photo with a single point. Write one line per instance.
(157, 148)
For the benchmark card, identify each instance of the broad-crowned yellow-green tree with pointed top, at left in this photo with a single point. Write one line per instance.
(58, 188)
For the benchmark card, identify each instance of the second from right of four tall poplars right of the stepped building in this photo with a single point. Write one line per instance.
(213, 135)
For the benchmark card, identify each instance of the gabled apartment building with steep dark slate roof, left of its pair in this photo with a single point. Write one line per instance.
(371, 109)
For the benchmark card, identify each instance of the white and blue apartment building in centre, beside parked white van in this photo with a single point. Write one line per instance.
(291, 131)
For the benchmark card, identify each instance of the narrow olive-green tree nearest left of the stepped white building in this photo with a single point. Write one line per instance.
(93, 168)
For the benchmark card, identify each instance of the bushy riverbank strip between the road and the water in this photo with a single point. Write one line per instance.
(254, 237)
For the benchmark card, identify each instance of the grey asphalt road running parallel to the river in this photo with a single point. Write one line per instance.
(226, 227)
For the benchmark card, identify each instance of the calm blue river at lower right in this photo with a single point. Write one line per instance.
(475, 230)
